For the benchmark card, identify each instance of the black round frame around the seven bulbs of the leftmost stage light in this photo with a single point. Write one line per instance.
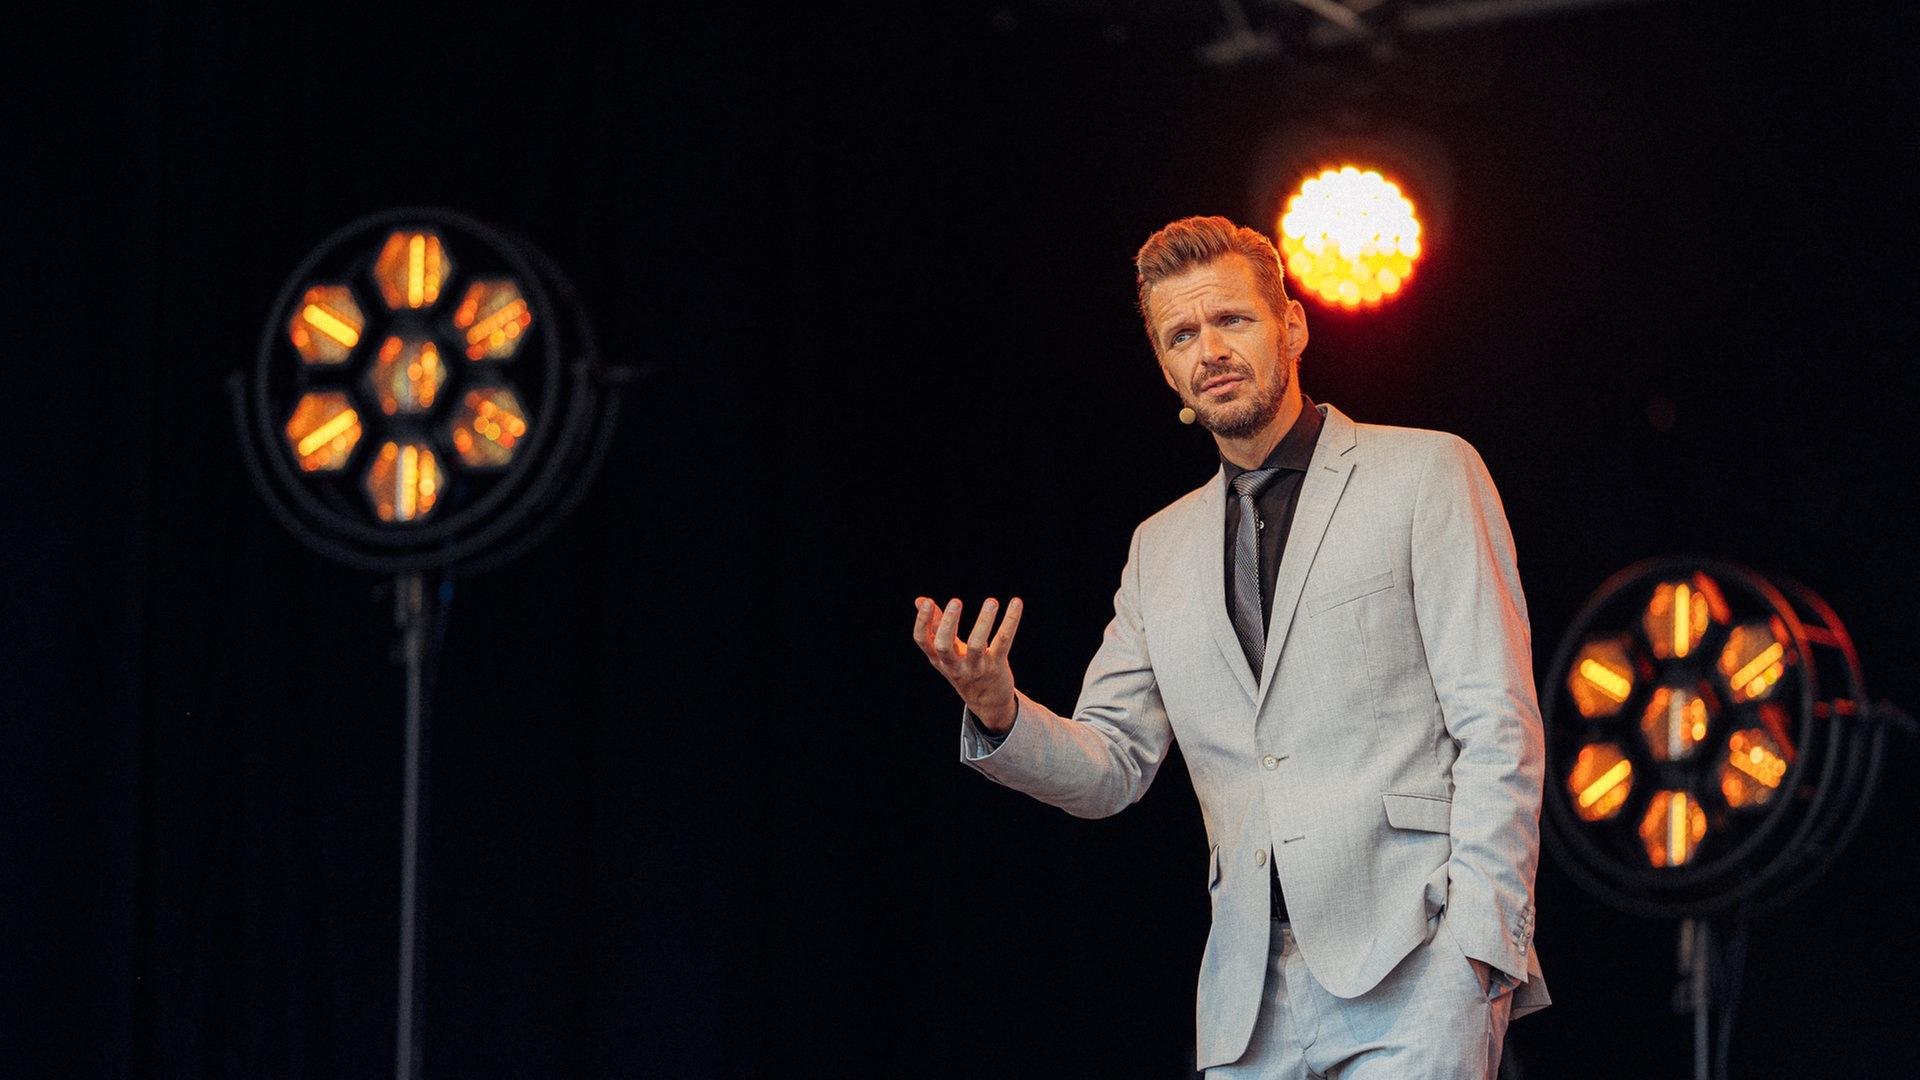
(481, 516)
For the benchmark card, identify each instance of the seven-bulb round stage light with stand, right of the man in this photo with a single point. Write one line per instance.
(1710, 754)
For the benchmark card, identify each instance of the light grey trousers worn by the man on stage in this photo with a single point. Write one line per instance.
(1426, 1021)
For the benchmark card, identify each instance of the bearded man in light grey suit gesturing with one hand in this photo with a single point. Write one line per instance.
(1368, 762)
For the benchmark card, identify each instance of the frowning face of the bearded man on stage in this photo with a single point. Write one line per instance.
(1224, 351)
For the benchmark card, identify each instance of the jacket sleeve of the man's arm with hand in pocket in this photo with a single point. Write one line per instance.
(1474, 627)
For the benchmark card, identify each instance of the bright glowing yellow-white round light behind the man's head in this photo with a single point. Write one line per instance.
(1351, 237)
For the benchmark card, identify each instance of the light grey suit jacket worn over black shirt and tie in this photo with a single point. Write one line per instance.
(1389, 758)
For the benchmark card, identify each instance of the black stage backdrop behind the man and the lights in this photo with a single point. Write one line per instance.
(694, 802)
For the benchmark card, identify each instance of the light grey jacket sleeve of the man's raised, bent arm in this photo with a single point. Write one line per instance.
(1103, 758)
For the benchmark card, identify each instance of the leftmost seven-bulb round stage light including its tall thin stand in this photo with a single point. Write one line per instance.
(418, 433)
